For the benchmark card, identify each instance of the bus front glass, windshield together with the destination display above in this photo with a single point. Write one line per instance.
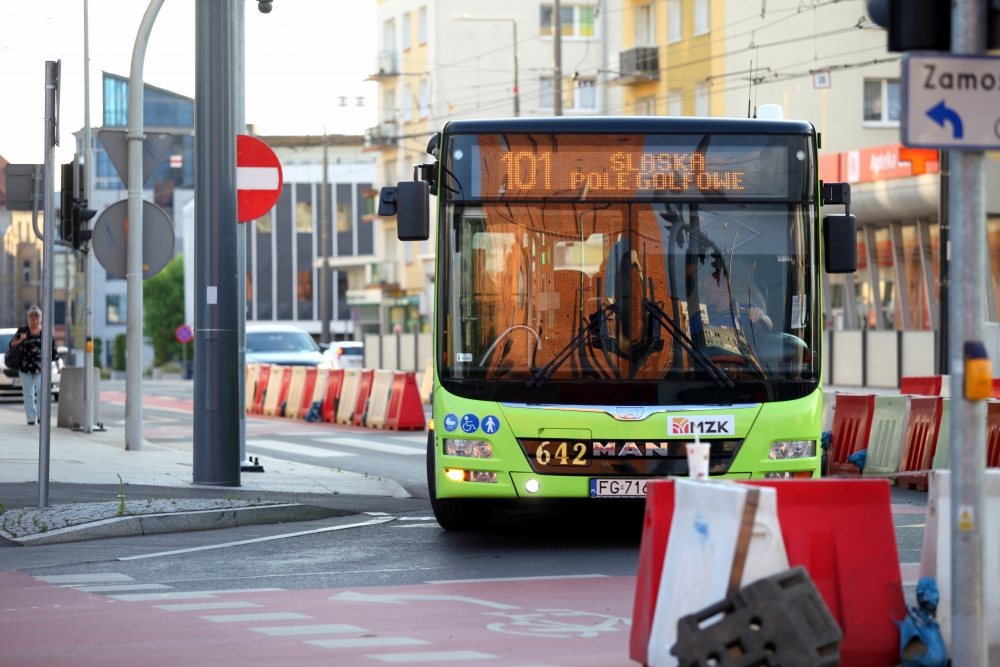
(666, 261)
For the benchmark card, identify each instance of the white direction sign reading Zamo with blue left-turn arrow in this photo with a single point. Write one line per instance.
(949, 101)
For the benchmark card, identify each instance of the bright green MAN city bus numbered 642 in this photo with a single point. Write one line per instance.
(608, 289)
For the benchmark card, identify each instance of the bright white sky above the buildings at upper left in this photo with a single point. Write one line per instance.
(300, 59)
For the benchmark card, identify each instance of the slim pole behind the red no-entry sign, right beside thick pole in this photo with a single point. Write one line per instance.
(239, 52)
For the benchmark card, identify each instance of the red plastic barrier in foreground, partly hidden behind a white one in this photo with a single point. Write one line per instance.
(856, 571)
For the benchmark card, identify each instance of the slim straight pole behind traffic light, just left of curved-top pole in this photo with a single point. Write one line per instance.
(88, 278)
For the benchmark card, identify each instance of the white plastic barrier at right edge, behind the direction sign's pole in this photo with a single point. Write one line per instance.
(935, 558)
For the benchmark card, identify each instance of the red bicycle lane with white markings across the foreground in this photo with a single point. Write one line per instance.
(509, 623)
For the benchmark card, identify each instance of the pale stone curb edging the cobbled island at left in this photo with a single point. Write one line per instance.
(179, 522)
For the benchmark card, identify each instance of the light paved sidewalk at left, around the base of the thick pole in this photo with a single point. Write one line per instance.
(99, 458)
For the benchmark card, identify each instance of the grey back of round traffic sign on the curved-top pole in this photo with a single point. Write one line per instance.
(111, 247)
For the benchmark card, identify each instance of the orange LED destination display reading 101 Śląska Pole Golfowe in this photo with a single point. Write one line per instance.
(581, 167)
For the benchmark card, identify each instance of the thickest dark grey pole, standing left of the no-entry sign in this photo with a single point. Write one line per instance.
(216, 357)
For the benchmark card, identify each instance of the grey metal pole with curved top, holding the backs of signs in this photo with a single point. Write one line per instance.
(133, 270)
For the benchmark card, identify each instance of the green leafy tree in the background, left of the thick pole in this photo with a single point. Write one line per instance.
(163, 310)
